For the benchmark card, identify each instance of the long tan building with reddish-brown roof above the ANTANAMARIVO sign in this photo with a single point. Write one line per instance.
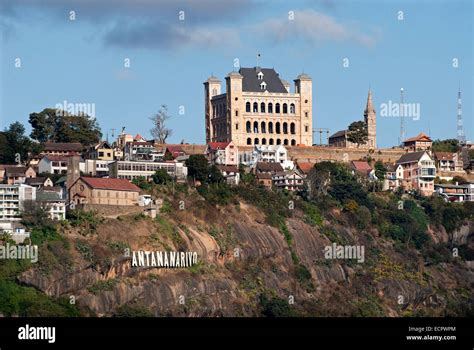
(103, 191)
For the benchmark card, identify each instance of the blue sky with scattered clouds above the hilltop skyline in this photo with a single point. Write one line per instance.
(127, 58)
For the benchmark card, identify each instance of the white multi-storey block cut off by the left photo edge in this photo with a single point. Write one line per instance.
(13, 200)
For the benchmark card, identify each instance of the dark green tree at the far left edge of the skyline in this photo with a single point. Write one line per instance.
(13, 142)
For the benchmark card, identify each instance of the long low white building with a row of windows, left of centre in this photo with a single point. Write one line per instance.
(132, 170)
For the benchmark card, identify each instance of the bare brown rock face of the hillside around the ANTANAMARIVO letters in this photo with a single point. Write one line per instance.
(240, 258)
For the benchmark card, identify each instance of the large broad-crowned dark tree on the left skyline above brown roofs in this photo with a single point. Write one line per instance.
(58, 126)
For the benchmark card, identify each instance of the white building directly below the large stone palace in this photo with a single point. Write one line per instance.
(269, 154)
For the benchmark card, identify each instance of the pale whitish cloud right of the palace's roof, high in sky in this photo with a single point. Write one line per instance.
(313, 27)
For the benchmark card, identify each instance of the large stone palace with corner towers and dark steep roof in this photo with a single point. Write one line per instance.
(257, 108)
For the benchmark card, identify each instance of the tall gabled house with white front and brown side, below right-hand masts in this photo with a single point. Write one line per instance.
(419, 172)
